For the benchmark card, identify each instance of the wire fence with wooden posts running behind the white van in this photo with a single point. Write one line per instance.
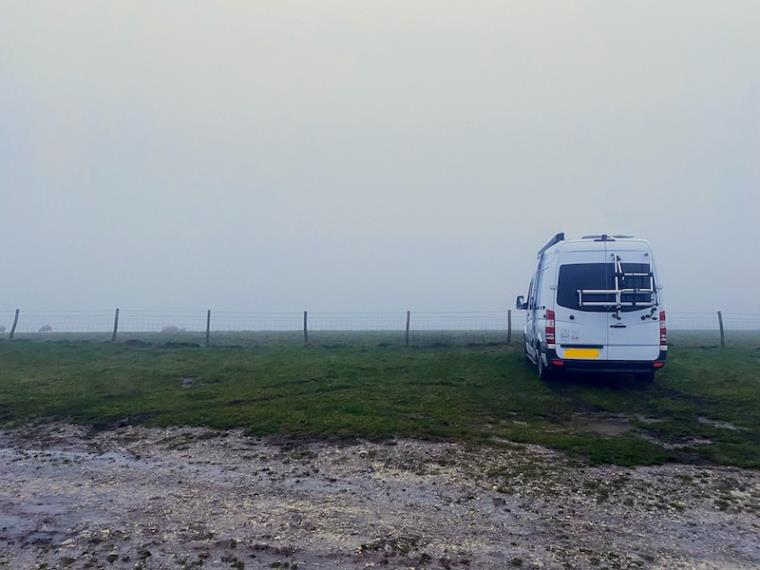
(233, 328)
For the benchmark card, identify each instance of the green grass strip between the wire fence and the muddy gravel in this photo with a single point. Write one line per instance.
(704, 406)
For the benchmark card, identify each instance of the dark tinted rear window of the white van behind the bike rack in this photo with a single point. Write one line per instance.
(600, 276)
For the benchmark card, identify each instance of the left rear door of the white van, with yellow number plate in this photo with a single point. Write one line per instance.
(581, 331)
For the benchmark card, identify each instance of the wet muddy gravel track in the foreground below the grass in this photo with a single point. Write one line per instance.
(185, 498)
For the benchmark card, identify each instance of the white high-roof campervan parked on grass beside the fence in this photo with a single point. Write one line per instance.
(595, 304)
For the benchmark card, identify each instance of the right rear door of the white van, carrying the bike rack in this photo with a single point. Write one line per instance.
(636, 334)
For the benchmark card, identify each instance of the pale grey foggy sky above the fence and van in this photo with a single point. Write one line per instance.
(373, 155)
